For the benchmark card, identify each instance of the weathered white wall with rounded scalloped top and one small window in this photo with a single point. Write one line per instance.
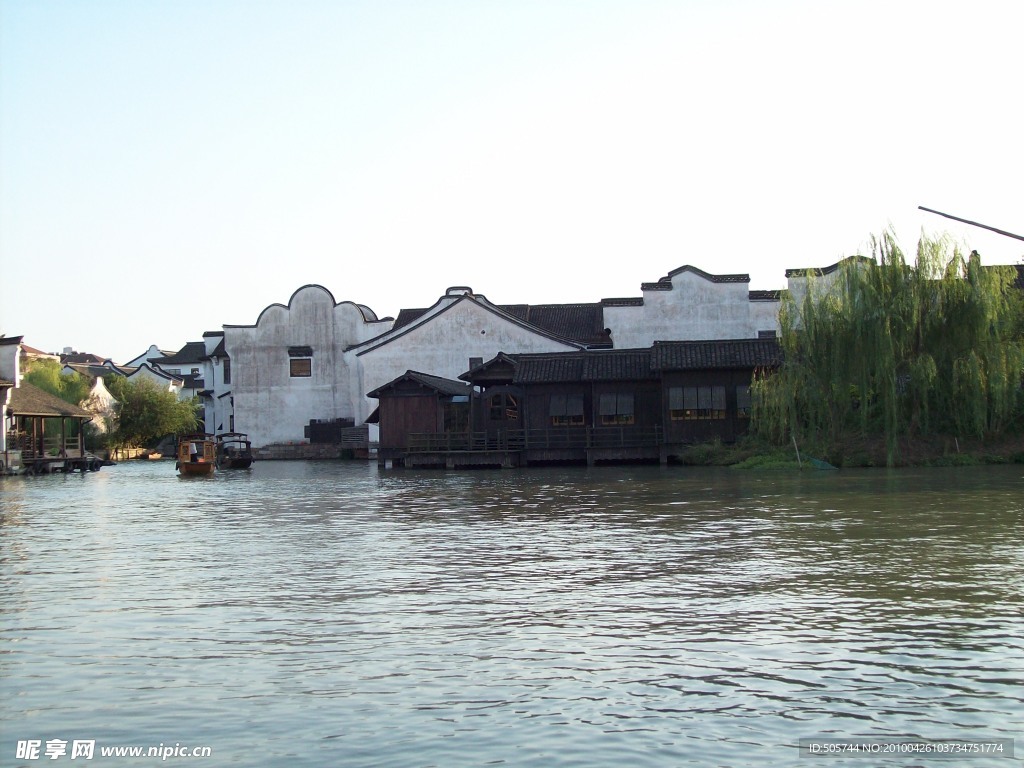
(270, 405)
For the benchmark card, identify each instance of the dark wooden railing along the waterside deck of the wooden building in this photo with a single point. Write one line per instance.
(570, 439)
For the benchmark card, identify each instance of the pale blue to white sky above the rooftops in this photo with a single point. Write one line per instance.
(170, 167)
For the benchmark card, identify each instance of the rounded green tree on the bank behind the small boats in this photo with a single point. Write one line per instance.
(146, 412)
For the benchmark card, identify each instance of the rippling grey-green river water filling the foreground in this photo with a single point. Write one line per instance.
(328, 614)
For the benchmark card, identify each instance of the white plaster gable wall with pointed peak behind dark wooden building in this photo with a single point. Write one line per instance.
(444, 347)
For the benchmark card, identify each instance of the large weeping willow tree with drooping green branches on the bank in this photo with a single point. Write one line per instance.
(885, 349)
